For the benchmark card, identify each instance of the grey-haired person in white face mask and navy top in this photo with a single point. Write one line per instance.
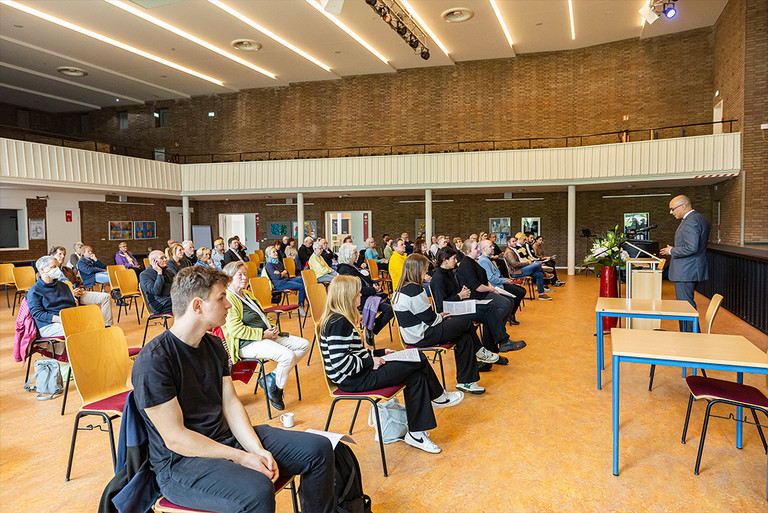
(49, 296)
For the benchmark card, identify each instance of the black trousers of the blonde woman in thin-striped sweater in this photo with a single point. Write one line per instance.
(421, 386)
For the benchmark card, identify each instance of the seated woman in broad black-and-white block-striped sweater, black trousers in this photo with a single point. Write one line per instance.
(420, 326)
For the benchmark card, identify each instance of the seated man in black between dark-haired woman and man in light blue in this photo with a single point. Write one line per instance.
(471, 275)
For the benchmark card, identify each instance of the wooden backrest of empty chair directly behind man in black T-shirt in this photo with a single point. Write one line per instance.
(100, 363)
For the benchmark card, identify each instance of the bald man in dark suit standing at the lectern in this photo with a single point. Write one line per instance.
(688, 264)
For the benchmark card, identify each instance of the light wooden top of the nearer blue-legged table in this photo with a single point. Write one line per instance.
(688, 347)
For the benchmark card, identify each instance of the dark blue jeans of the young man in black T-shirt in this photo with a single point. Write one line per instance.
(224, 486)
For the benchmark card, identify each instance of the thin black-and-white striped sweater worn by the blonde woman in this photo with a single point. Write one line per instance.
(342, 350)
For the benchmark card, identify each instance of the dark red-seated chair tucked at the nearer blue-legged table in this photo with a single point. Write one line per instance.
(716, 391)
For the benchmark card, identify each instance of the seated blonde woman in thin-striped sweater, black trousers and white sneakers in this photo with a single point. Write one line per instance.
(356, 369)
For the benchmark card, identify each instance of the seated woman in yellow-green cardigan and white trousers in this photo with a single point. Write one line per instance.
(249, 333)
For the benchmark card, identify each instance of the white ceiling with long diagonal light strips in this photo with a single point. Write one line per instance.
(31, 48)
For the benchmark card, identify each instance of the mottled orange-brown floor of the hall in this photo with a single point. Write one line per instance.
(538, 440)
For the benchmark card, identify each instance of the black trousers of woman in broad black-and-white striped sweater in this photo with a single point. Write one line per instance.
(460, 331)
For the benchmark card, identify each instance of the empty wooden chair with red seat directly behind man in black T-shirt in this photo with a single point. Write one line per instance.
(101, 367)
